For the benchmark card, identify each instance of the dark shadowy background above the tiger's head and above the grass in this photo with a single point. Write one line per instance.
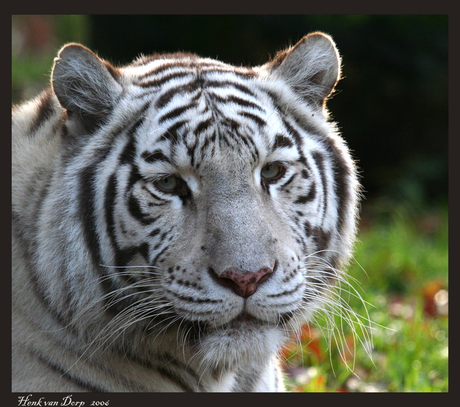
(391, 106)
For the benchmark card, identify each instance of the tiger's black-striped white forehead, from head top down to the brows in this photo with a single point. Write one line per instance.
(203, 111)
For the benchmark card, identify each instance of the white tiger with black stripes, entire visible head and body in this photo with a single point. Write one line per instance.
(175, 220)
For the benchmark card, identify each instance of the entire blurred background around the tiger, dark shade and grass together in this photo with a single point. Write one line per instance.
(392, 107)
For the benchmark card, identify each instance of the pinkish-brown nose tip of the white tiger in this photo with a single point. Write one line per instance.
(243, 283)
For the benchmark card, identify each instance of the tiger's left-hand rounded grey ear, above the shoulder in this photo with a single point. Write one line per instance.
(85, 86)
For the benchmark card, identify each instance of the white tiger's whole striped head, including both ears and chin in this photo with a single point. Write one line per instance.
(214, 205)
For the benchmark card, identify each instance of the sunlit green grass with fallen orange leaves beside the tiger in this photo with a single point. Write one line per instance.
(401, 263)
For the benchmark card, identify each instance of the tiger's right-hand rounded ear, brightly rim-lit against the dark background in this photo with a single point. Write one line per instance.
(311, 68)
